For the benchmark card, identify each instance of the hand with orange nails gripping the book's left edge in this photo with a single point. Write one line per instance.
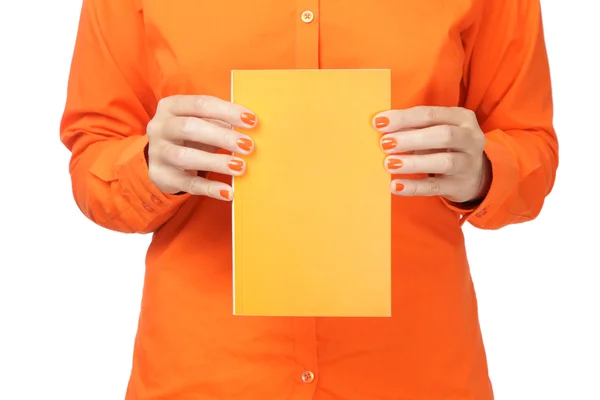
(184, 137)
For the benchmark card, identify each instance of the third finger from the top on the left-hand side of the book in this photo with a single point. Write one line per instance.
(187, 158)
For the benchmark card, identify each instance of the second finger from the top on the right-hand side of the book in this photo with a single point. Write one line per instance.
(432, 138)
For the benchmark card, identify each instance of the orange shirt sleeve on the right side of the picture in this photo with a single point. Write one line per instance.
(508, 86)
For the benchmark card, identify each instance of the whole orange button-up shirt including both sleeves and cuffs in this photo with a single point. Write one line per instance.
(485, 55)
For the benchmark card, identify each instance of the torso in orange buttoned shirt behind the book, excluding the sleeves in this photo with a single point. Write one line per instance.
(189, 345)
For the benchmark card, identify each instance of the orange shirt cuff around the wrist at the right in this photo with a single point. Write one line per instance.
(505, 174)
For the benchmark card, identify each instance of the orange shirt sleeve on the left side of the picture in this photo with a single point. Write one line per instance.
(109, 104)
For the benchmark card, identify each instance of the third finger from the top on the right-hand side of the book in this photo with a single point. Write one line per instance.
(445, 163)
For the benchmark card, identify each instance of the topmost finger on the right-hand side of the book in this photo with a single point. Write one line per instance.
(422, 117)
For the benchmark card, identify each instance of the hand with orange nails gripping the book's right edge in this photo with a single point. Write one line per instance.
(444, 142)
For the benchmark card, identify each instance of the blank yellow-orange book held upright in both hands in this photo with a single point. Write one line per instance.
(312, 213)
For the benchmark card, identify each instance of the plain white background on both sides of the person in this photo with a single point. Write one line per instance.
(70, 291)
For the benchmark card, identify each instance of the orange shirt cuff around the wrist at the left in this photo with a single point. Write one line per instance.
(144, 198)
